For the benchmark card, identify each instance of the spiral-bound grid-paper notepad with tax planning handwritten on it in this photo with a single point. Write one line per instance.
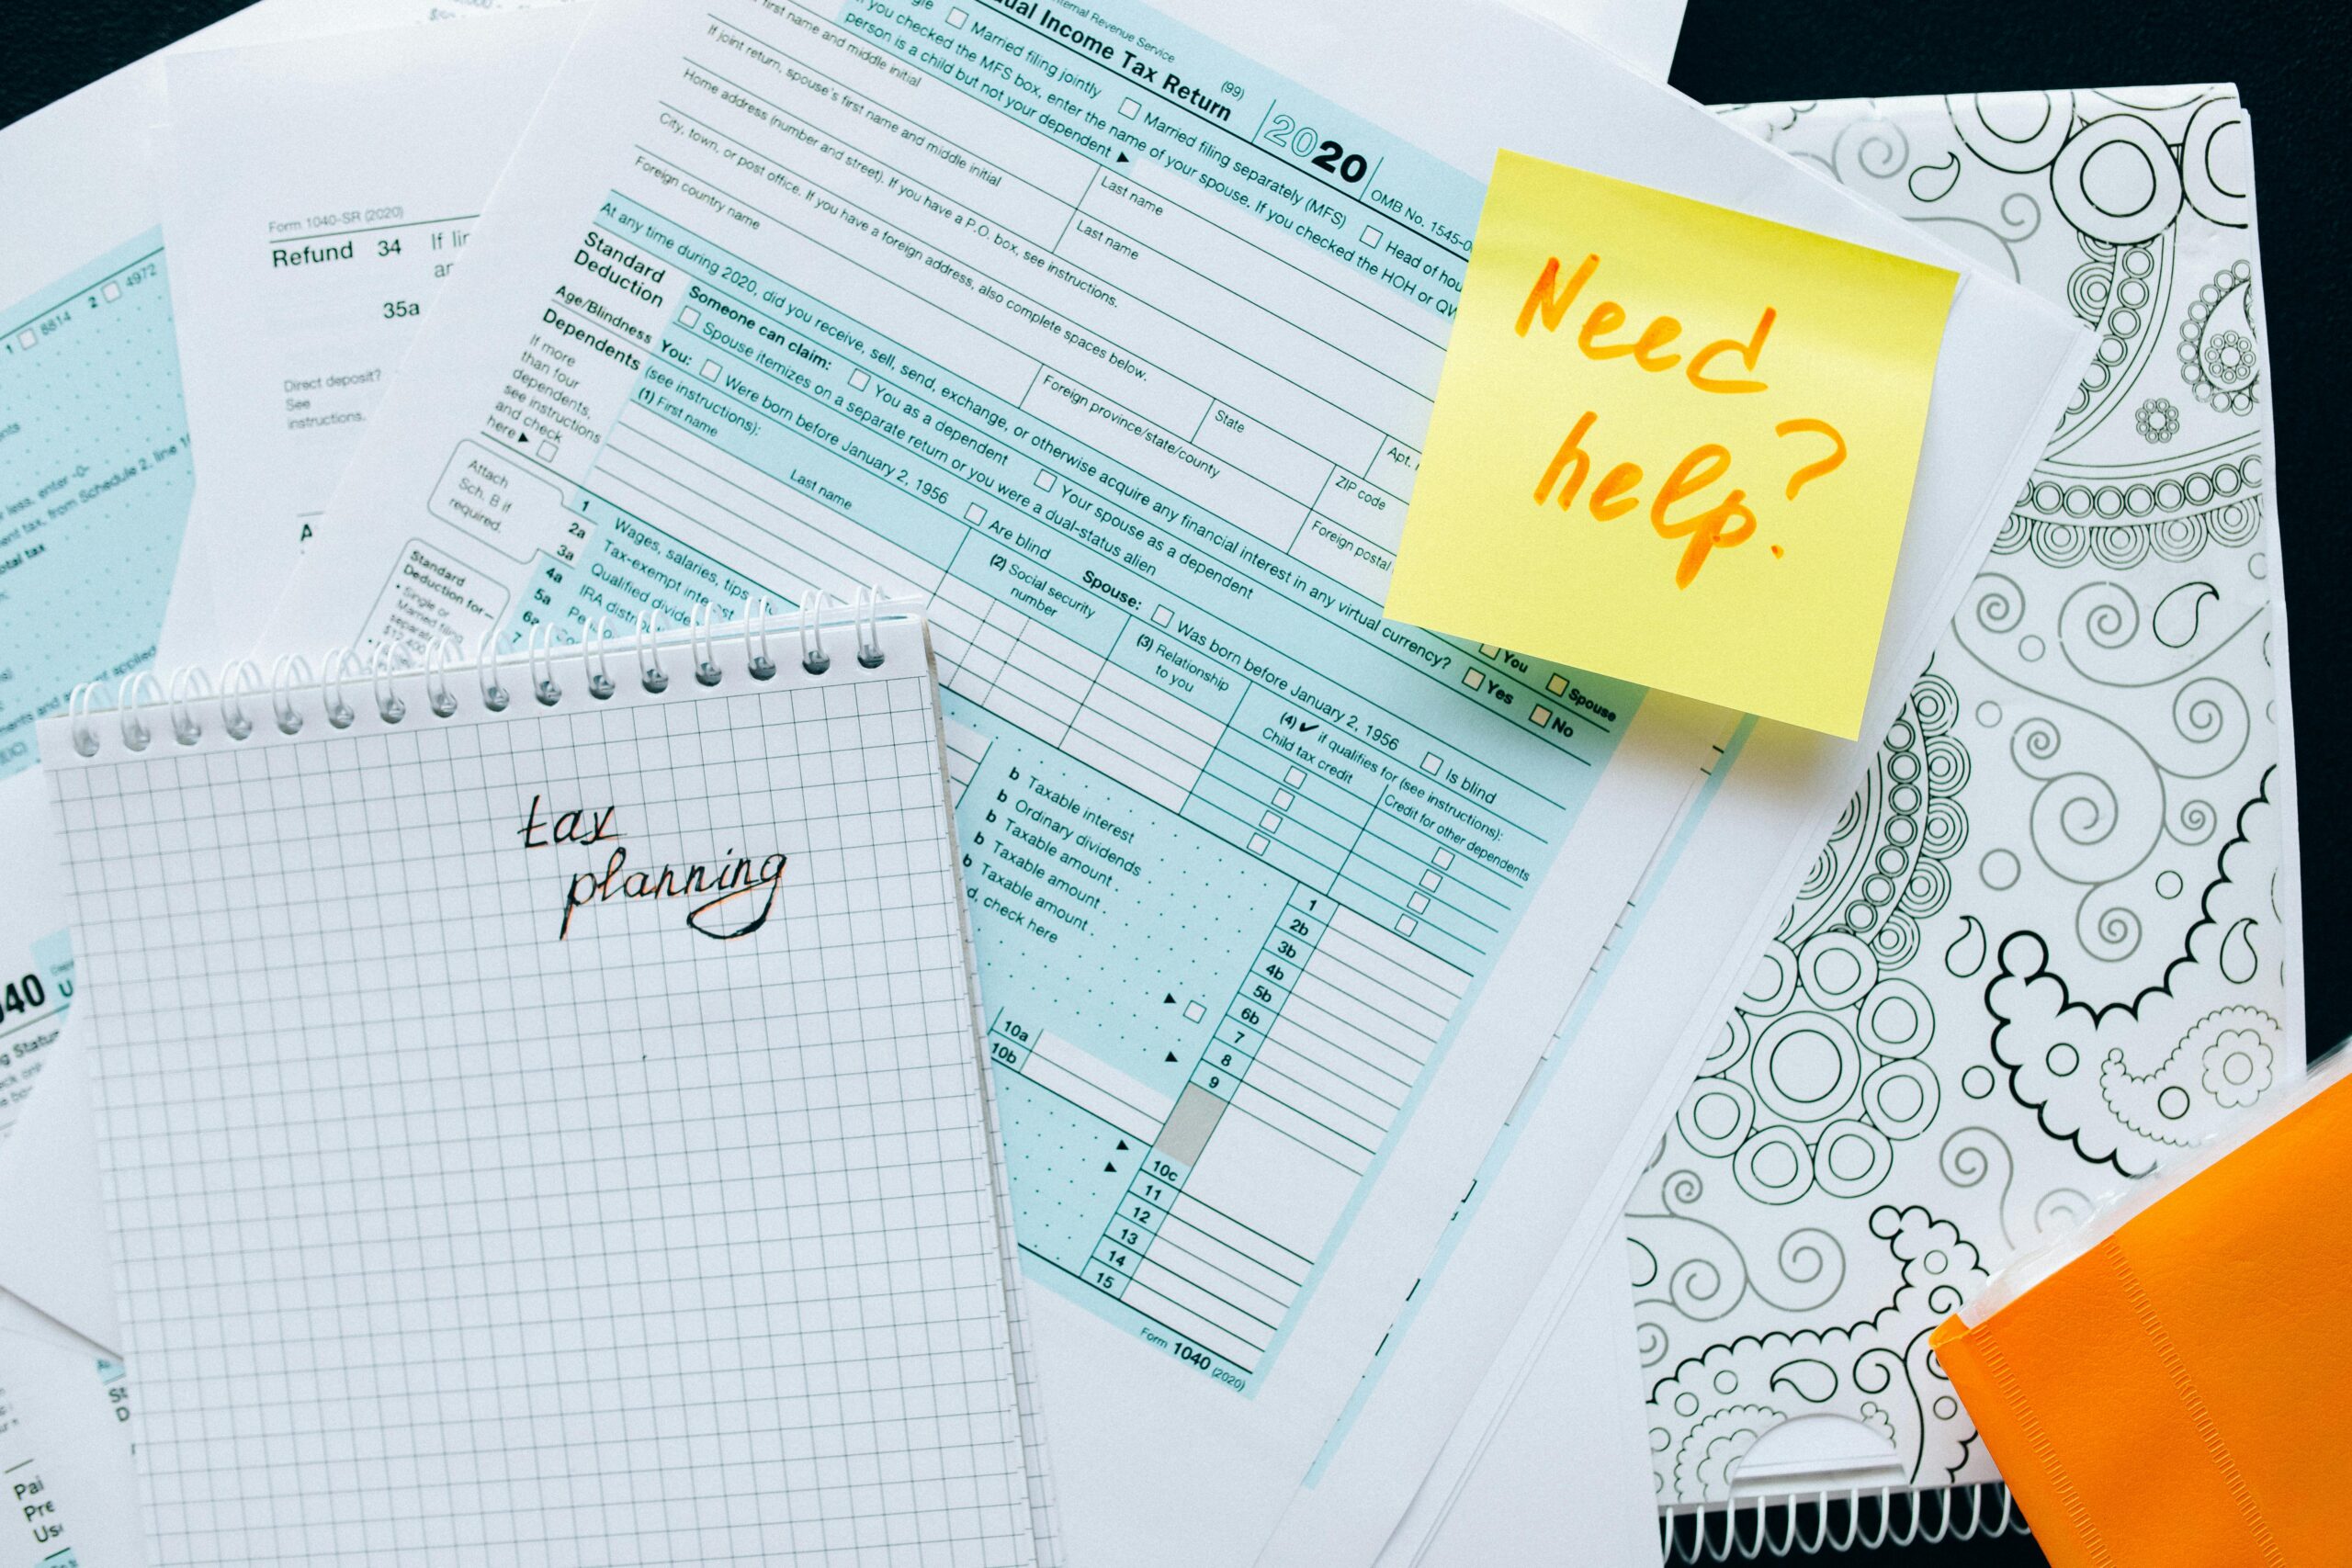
(542, 1108)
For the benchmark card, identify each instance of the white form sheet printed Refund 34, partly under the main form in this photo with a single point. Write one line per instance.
(305, 264)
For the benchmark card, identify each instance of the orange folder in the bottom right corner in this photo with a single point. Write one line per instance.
(2174, 1391)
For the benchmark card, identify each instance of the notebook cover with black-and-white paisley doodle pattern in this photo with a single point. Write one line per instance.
(2057, 934)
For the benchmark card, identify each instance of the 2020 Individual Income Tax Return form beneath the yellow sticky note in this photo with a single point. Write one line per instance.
(1116, 344)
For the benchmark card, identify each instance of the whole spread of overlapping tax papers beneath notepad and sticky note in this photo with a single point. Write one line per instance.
(1111, 335)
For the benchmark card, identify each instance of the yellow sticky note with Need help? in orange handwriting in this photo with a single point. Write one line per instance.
(1673, 443)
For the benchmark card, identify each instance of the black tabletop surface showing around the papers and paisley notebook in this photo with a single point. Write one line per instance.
(2290, 62)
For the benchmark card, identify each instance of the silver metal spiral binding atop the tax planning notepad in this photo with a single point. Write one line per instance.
(246, 695)
